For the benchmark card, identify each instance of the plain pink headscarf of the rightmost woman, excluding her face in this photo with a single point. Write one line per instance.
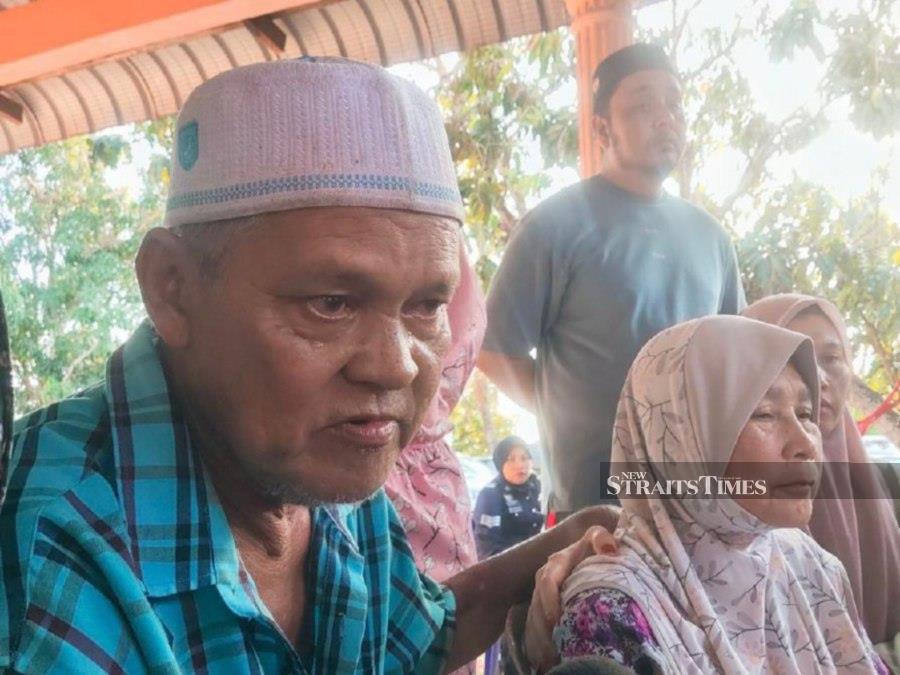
(852, 517)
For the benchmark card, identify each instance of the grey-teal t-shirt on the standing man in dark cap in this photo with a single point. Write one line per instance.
(589, 276)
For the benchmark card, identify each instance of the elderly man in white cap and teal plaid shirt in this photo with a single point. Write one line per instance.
(215, 504)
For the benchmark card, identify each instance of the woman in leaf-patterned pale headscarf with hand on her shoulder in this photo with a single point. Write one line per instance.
(706, 583)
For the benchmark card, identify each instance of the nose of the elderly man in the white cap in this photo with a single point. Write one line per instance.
(385, 357)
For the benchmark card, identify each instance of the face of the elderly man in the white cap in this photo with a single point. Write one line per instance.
(316, 349)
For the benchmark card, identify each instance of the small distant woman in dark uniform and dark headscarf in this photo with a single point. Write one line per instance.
(508, 509)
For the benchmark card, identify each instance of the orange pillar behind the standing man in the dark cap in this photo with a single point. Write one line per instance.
(600, 27)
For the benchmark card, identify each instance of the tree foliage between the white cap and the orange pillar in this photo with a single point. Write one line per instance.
(498, 117)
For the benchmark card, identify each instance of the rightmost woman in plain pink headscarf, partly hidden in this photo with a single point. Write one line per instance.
(852, 516)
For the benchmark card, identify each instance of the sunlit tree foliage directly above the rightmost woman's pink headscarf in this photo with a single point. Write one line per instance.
(806, 241)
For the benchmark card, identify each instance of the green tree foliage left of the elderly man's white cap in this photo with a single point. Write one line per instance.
(67, 242)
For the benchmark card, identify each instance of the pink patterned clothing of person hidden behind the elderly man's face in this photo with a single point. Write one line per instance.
(427, 485)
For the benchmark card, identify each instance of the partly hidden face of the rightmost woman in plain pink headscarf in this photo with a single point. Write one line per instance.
(834, 371)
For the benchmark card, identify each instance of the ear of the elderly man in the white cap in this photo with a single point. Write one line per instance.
(164, 268)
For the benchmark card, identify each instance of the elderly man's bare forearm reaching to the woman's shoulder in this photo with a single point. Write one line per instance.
(485, 592)
